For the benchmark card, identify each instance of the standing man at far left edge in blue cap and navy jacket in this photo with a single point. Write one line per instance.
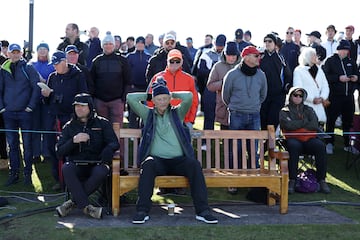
(19, 96)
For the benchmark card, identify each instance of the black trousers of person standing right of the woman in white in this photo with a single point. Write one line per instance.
(344, 106)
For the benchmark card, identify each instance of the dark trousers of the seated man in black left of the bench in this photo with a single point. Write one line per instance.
(82, 181)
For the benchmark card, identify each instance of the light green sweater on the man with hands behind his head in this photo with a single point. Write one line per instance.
(165, 143)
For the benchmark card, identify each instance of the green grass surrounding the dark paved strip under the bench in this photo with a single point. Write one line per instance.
(344, 199)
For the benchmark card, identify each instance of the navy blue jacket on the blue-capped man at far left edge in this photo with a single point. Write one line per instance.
(18, 89)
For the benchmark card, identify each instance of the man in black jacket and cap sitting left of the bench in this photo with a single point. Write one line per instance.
(88, 138)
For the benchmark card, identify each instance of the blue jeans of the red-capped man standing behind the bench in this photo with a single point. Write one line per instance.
(244, 121)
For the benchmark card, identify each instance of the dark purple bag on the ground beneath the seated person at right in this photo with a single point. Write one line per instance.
(306, 182)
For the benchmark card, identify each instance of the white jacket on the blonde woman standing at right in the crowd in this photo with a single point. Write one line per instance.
(320, 88)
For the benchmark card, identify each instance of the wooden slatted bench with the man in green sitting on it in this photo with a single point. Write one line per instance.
(272, 174)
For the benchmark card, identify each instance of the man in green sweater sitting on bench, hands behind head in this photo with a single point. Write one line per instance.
(165, 149)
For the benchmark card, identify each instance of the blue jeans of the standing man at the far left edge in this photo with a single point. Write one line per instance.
(13, 122)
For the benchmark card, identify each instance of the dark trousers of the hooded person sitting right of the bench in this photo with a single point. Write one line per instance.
(314, 147)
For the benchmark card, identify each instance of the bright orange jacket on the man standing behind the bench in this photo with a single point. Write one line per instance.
(179, 81)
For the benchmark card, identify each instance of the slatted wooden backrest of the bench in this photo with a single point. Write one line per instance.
(218, 148)
